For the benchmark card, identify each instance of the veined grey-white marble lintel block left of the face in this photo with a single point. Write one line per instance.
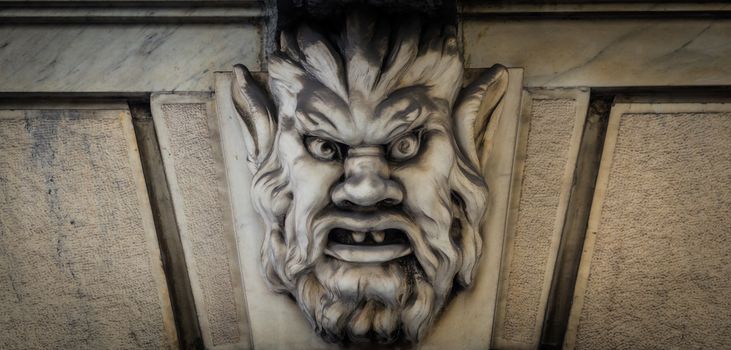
(117, 58)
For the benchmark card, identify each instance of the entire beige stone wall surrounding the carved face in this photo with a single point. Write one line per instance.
(117, 237)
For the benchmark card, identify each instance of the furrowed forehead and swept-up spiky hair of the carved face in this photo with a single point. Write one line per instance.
(368, 82)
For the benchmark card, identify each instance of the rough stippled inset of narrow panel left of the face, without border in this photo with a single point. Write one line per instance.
(202, 218)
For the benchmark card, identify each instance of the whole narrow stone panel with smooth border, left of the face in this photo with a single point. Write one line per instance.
(188, 139)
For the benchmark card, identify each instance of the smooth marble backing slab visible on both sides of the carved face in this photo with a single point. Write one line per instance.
(276, 321)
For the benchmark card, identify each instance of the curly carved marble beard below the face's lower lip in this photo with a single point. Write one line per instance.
(374, 302)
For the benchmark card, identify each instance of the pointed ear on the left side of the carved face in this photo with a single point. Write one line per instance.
(255, 109)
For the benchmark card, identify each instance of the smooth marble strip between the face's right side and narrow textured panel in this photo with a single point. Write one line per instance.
(467, 322)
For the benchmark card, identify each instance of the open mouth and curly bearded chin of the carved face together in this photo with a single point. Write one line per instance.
(367, 285)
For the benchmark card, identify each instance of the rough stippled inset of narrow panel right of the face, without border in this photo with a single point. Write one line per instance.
(549, 138)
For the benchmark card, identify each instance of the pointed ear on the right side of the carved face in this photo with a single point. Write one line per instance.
(477, 110)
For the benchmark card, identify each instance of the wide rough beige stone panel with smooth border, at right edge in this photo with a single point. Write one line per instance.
(656, 264)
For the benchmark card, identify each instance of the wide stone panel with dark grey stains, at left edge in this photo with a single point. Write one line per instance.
(79, 263)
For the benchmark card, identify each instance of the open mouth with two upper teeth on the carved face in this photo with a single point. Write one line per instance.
(367, 246)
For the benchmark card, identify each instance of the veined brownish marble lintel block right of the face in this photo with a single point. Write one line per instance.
(604, 52)
